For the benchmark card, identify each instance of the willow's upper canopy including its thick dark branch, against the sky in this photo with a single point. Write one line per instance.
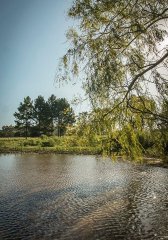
(118, 44)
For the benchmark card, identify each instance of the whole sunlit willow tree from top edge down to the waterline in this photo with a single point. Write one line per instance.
(117, 43)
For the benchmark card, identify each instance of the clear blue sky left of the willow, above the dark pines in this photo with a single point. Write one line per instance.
(32, 41)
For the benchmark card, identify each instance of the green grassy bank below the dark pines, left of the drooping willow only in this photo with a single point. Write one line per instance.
(66, 144)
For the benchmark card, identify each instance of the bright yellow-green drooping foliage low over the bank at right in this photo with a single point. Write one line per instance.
(129, 134)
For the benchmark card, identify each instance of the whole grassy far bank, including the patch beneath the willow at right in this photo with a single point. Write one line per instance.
(65, 144)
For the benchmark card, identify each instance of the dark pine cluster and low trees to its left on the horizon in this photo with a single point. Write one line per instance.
(40, 117)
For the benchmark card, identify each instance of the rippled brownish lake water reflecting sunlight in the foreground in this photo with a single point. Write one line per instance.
(49, 196)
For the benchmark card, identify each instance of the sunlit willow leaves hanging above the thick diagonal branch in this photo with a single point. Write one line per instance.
(113, 41)
